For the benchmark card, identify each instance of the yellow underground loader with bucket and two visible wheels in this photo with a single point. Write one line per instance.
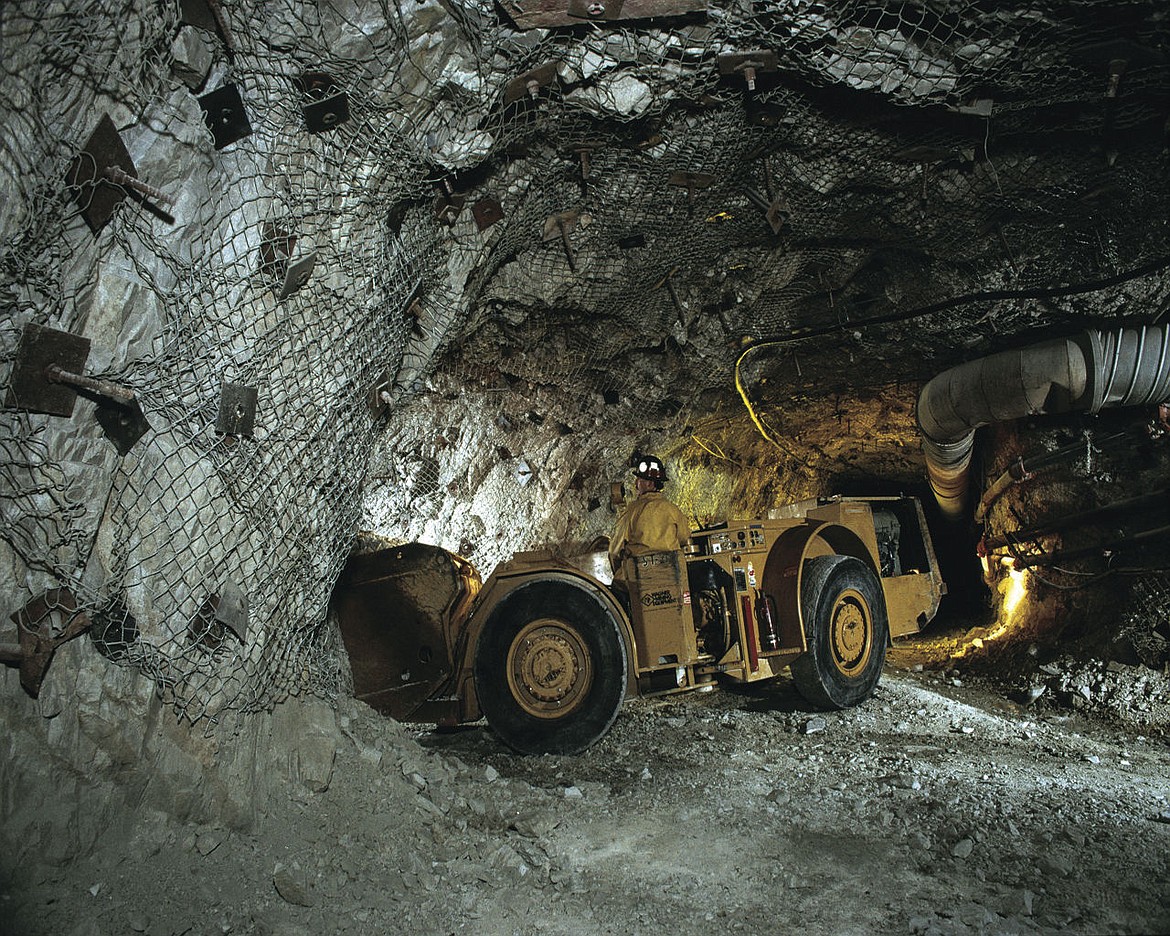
(547, 652)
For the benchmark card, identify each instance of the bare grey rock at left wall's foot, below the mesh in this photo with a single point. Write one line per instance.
(99, 754)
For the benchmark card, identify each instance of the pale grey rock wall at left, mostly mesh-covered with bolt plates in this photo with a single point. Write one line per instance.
(203, 550)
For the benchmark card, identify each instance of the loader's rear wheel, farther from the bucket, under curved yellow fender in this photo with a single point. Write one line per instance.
(848, 630)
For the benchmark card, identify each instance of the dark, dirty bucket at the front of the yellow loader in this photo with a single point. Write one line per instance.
(394, 608)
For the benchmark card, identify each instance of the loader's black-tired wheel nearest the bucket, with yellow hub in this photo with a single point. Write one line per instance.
(563, 616)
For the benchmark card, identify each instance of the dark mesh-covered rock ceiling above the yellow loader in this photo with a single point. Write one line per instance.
(893, 191)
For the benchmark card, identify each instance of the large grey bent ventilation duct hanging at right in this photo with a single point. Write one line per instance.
(1126, 367)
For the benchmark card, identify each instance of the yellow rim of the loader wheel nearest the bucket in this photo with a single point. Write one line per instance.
(549, 669)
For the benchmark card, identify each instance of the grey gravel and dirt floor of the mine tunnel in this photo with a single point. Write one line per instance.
(940, 807)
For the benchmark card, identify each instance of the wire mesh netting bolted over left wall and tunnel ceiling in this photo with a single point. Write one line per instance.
(591, 207)
